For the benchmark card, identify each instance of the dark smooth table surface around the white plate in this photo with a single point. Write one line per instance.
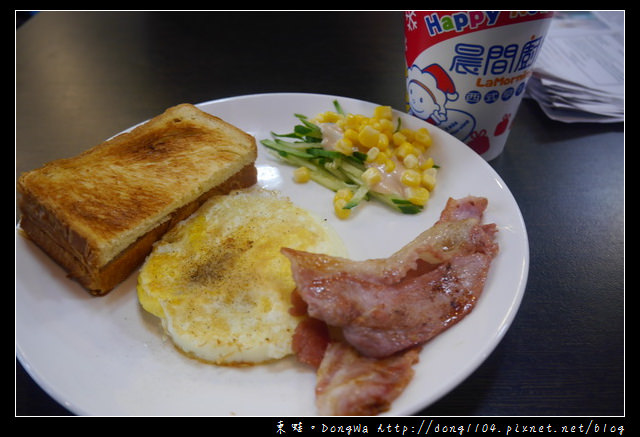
(83, 76)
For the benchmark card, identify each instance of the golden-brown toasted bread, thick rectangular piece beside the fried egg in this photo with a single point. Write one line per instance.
(99, 213)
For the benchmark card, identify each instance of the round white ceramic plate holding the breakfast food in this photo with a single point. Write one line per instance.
(107, 356)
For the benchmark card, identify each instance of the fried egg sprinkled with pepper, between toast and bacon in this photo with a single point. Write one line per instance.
(219, 283)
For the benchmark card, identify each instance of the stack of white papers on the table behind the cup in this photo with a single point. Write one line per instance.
(579, 73)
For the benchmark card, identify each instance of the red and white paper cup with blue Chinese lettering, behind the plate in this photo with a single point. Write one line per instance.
(467, 70)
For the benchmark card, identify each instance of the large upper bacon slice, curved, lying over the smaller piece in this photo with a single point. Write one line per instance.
(386, 305)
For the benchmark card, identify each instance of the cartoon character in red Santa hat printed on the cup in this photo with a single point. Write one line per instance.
(430, 90)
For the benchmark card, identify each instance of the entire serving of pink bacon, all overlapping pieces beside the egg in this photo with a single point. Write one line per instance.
(387, 308)
